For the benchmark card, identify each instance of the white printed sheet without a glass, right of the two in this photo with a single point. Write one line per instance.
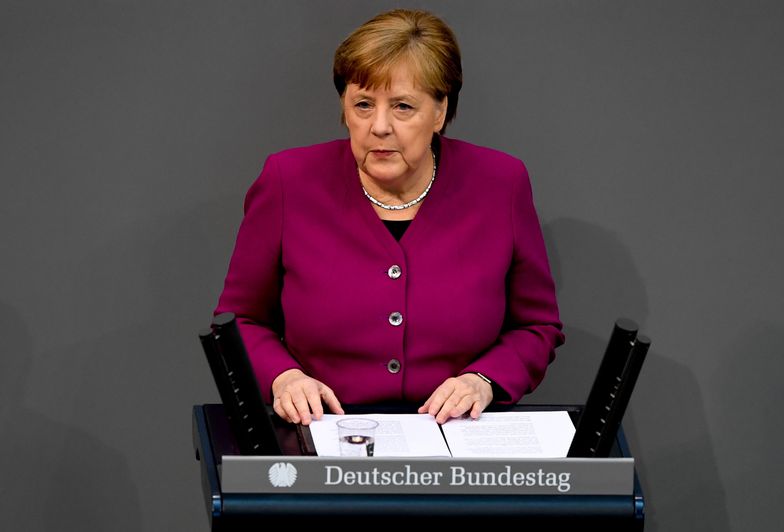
(533, 434)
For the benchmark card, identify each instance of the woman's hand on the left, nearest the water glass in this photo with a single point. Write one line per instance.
(297, 398)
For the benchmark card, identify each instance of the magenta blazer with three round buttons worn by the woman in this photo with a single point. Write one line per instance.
(318, 282)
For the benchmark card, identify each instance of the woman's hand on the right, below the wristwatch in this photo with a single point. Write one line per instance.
(458, 395)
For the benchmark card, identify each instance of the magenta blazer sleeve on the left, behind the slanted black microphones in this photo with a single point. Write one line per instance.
(252, 288)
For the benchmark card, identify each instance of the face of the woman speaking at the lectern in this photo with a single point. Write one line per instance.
(391, 129)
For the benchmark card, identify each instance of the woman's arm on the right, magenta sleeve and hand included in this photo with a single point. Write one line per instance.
(531, 330)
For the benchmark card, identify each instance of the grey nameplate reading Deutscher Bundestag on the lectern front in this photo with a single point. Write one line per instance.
(485, 476)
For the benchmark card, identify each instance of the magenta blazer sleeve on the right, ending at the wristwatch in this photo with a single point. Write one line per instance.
(532, 329)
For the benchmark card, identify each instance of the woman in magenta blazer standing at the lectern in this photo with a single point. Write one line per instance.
(397, 265)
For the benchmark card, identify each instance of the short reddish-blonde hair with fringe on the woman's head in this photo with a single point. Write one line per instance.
(419, 38)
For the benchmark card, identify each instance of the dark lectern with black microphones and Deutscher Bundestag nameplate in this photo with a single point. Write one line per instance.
(258, 471)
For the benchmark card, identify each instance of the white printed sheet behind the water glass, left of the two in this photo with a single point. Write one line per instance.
(396, 435)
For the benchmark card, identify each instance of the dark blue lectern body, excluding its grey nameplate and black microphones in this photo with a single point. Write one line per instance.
(233, 512)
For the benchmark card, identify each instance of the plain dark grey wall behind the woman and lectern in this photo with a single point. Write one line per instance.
(130, 132)
